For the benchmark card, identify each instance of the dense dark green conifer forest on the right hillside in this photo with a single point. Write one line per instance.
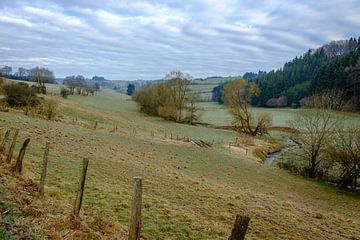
(333, 66)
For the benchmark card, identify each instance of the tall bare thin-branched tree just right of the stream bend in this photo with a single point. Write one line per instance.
(314, 124)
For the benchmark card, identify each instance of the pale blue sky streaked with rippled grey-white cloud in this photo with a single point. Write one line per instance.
(137, 39)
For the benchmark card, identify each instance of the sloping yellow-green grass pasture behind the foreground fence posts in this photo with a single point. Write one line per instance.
(189, 192)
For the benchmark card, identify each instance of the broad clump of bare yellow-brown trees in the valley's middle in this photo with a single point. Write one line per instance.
(170, 99)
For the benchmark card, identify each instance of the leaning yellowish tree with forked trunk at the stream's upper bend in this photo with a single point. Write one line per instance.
(237, 95)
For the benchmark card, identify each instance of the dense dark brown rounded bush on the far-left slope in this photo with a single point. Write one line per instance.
(20, 94)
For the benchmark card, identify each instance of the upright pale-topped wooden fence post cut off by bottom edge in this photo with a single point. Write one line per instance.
(135, 222)
